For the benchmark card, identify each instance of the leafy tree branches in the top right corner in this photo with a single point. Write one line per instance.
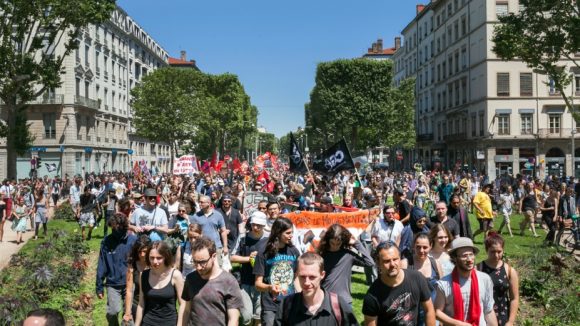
(542, 34)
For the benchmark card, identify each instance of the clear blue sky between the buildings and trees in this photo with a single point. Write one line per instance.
(273, 46)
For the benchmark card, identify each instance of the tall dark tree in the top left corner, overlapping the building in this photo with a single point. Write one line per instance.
(31, 32)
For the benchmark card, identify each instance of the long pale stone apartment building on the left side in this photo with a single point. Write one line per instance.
(85, 125)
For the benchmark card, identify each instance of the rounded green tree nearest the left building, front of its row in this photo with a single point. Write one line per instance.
(167, 105)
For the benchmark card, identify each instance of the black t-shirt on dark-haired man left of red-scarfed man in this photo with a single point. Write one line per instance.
(397, 306)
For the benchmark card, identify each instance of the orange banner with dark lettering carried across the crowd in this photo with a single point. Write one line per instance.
(311, 220)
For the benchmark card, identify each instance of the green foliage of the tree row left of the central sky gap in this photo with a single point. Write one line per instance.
(193, 111)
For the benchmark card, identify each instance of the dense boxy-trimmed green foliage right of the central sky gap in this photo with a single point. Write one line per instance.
(355, 99)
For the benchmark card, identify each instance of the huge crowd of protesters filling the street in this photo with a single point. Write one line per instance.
(188, 239)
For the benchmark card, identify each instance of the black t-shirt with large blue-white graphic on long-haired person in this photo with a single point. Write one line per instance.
(280, 269)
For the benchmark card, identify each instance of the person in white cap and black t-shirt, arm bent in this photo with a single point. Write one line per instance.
(245, 253)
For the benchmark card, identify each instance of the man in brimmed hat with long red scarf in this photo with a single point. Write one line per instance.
(465, 297)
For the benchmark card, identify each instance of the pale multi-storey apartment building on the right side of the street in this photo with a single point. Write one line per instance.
(474, 111)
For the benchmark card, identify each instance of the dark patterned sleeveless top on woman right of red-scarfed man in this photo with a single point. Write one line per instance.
(501, 291)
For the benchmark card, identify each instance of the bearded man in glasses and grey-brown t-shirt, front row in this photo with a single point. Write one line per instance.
(211, 296)
